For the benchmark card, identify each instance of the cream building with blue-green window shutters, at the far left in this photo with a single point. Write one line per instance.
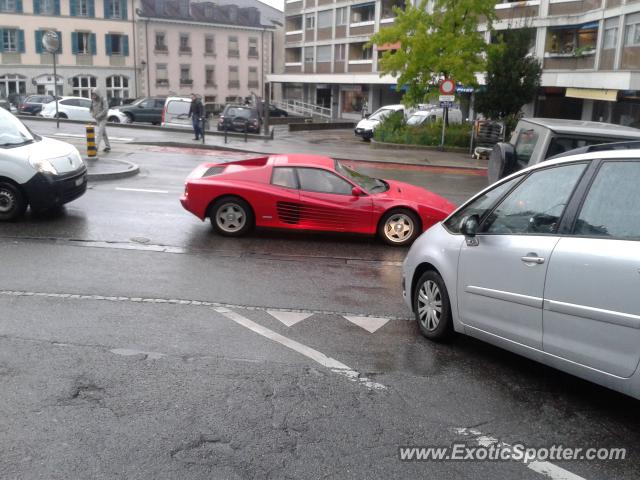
(95, 48)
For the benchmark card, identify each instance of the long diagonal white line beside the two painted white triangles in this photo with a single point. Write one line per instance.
(319, 357)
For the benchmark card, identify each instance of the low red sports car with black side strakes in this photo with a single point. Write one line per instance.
(309, 192)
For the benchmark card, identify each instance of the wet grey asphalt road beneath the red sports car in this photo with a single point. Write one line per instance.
(135, 343)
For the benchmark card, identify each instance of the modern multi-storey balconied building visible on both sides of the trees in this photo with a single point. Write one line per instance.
(589, 49)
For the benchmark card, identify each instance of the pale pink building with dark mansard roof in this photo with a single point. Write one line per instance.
(222, 52)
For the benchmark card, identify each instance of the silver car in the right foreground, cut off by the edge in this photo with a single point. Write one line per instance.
(545, 263)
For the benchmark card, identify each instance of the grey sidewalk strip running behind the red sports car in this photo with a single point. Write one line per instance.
(340, 144)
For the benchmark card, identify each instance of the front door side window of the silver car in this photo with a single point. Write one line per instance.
(536, 205)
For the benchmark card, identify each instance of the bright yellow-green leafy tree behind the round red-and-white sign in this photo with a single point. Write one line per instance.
(435, 42)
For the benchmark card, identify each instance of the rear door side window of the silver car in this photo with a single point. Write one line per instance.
(612, 206)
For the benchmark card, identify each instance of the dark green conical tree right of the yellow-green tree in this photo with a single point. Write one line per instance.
(513, 76)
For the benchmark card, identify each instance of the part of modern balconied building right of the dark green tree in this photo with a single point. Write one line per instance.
(590, 54)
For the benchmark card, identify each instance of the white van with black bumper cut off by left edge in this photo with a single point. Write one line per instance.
(38, 172)
